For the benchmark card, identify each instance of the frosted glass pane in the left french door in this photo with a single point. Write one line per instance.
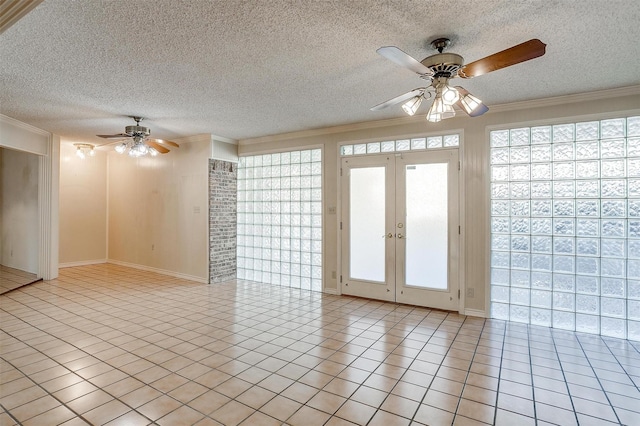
(367, 224)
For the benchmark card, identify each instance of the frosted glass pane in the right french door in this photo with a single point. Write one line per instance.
(426, 226)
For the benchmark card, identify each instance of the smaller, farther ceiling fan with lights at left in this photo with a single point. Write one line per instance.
(137, 141)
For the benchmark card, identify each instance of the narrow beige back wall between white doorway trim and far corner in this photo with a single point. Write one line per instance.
(83, 207)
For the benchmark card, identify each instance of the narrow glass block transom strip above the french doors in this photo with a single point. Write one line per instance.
(415, 144)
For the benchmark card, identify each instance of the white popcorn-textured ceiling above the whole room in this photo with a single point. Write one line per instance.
(244, 69)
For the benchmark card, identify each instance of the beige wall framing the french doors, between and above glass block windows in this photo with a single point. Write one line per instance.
(475, 166)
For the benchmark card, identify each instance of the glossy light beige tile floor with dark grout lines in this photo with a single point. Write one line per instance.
(105, 344)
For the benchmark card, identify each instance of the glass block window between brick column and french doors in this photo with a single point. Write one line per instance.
(280, 219)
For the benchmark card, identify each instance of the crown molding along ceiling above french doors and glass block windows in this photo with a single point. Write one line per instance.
(529, 104)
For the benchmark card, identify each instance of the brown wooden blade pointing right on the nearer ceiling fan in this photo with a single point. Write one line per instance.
(514, 55)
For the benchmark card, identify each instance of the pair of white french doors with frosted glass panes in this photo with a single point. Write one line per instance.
(400, 227)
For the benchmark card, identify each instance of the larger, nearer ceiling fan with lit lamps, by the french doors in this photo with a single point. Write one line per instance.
(440, 68)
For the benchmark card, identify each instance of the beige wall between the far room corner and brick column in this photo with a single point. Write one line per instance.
(158, 210)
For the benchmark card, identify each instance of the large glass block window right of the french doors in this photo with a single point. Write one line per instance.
(565, 226)
